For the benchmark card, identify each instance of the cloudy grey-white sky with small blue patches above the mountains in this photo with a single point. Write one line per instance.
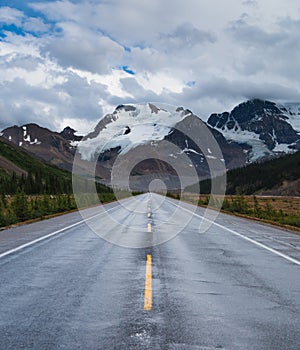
(70, 62)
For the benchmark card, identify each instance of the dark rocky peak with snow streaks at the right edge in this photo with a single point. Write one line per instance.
(266, 127)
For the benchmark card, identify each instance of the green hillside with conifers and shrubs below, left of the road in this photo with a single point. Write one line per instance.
(39, 189)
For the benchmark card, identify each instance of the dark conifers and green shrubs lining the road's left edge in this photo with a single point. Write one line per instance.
(42, 193)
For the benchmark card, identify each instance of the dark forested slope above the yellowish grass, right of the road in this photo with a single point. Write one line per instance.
(280, 177)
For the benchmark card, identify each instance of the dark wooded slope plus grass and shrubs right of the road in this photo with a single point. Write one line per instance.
(266, 191)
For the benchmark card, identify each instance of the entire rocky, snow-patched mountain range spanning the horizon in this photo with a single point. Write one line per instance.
(159, 141)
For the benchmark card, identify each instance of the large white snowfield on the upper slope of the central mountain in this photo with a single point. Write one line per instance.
(131, 126)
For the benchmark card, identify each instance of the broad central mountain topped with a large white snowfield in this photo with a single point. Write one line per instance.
(153, 140)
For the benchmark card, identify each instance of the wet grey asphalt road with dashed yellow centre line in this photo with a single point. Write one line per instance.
(235, 286)
